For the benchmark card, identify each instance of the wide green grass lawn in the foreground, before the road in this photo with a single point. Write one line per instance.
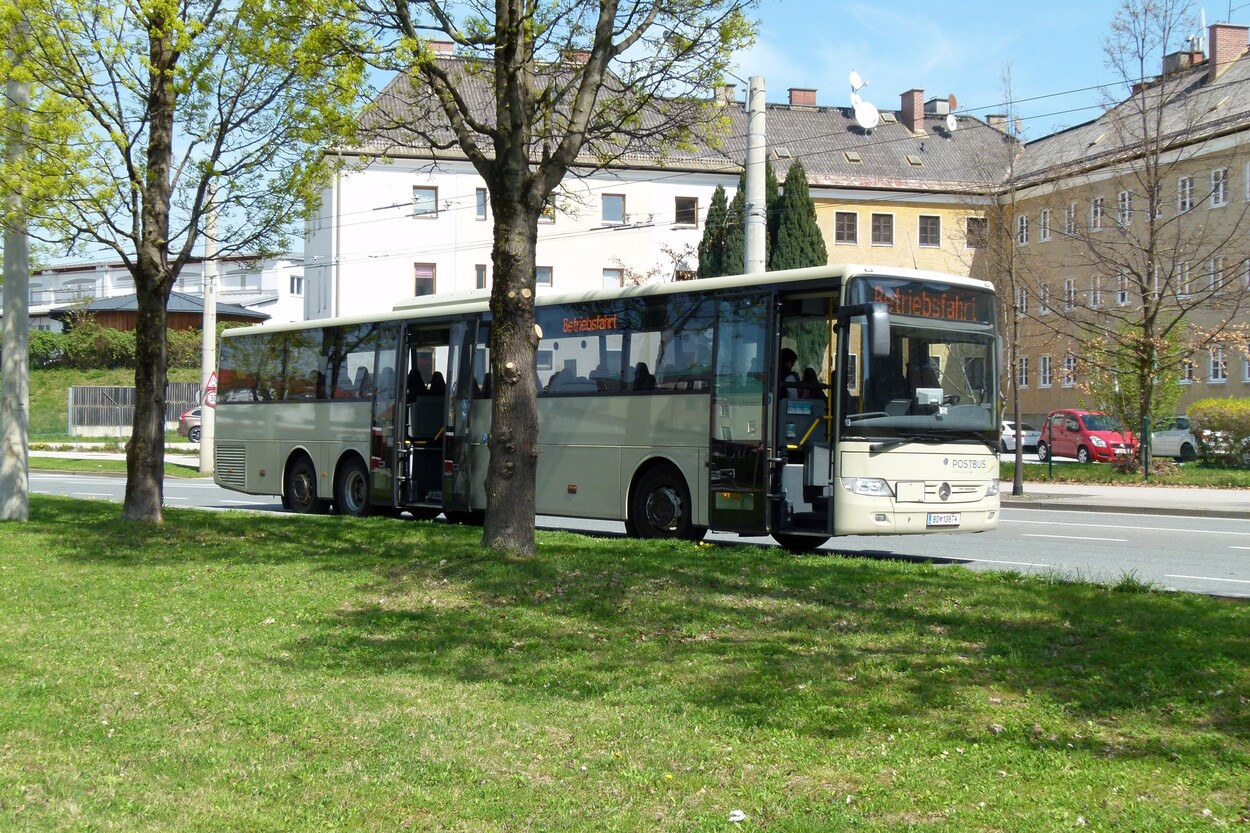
(246, 672)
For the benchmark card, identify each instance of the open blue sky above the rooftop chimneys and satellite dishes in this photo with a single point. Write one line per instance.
(1054, 51)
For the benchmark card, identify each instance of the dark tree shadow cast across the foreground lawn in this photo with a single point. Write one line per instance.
(823, 647)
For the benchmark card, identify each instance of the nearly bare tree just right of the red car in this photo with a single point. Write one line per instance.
(1142, 198)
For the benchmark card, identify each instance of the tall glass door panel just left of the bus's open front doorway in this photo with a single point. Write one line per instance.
(739, 452)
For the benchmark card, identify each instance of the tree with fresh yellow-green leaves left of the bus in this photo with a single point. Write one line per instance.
(192, 106)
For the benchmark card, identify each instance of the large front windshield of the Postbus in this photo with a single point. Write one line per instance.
(937, 383)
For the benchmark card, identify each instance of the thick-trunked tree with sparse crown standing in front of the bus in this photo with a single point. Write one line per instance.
(571, 84)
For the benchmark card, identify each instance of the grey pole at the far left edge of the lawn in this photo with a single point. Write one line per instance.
(16, 391)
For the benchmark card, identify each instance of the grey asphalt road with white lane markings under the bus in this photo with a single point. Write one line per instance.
(1193, 555)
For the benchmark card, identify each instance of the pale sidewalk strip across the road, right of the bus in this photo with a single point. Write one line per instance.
(1157, 501)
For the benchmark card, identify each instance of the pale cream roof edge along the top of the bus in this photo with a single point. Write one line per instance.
(479, 301)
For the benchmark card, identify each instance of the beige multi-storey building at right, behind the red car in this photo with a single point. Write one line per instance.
(1138, 221)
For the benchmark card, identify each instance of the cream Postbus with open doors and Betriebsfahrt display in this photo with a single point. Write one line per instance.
(661, 406)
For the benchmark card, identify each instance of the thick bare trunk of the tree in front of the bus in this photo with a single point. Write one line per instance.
(512, 473)
